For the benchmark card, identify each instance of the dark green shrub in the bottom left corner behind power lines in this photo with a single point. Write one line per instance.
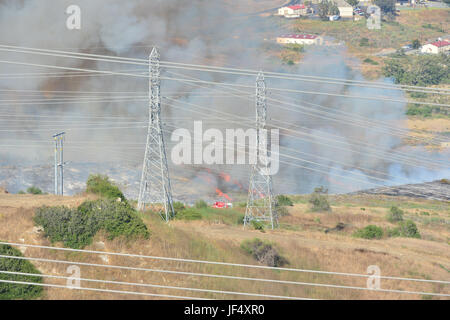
(12, 291)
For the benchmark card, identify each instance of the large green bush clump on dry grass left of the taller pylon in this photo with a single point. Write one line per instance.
(76, 227)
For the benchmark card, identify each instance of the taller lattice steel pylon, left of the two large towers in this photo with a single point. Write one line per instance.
(155, 189)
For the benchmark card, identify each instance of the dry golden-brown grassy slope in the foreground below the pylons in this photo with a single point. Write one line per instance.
(301, 239)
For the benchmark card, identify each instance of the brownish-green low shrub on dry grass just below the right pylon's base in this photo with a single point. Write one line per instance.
(264, 252)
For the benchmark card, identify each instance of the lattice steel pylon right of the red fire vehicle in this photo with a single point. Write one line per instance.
(261, 205)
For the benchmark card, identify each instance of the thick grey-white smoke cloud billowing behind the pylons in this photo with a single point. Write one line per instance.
(340, 143)
